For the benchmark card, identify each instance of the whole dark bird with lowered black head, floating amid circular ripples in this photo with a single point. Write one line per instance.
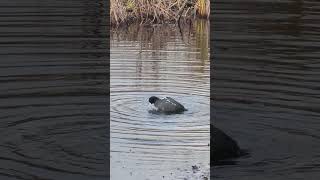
(167, 105)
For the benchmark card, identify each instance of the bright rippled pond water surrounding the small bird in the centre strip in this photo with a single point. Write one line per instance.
(162, 60)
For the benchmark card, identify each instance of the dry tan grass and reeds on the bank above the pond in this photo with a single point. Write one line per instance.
(157, 11)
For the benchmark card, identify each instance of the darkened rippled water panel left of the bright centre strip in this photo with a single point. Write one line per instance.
(53, 94)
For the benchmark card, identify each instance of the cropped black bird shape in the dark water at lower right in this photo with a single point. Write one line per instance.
(223, 147)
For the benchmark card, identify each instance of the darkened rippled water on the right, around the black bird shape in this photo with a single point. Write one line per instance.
(266, 86)
